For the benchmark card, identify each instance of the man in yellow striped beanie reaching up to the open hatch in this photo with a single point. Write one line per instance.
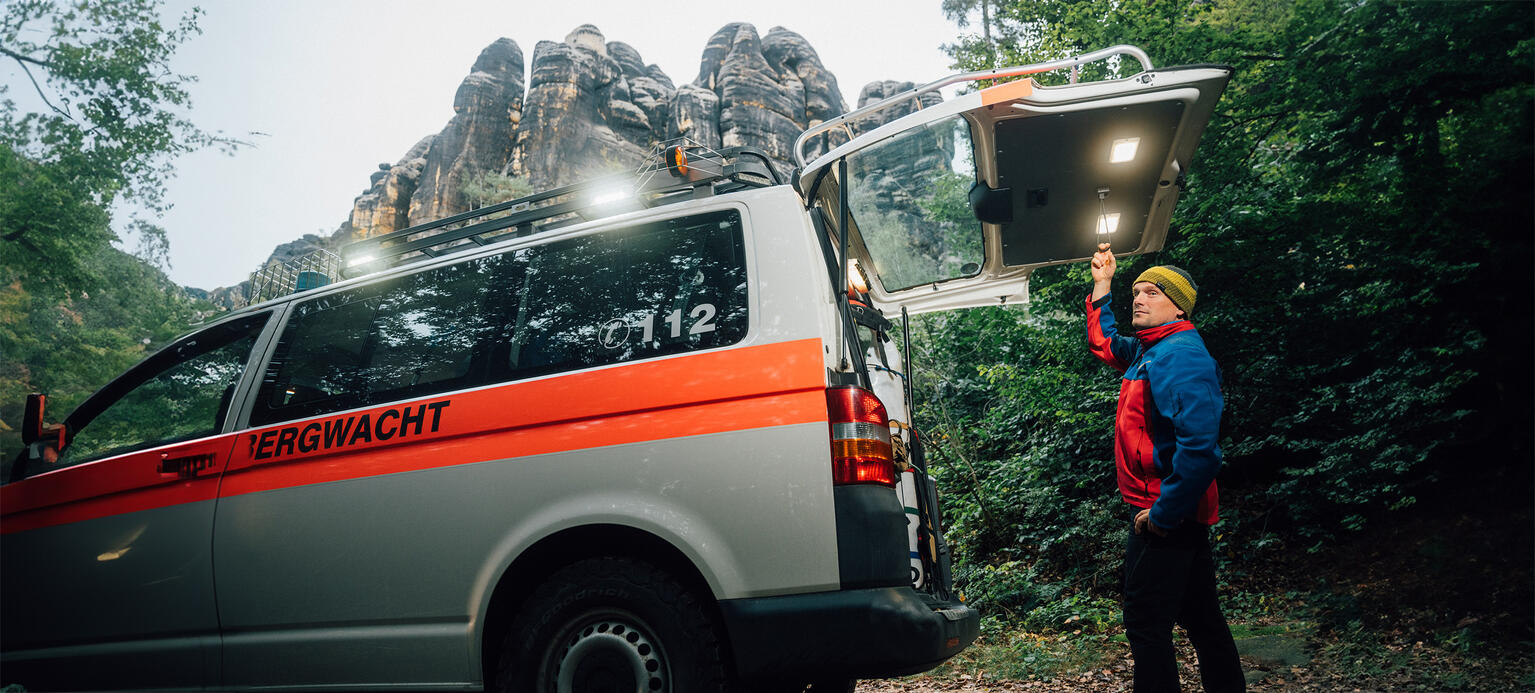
(1167, 456)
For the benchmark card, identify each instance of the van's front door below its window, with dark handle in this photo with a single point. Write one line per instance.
(113, 560)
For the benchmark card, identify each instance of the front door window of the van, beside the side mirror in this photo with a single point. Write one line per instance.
(179, 394)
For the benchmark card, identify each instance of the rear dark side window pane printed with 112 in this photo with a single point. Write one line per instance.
(639, 293)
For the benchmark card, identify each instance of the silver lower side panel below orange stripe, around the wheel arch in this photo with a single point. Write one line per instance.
(467, 522)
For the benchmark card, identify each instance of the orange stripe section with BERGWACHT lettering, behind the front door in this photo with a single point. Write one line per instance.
(684, 396)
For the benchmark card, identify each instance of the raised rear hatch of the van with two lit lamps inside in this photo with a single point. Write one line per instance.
(957, 204)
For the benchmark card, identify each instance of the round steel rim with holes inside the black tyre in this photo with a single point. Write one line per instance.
(609, 654)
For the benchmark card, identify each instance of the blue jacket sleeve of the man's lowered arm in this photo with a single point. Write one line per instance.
(1187, 391)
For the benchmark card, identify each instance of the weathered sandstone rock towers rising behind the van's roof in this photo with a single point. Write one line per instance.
(595, 107)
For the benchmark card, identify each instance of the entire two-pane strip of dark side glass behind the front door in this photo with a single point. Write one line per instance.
(619, 296)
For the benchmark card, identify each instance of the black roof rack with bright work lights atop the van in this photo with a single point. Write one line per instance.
(693, 171)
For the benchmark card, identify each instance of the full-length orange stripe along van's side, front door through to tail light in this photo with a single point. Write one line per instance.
(713, 393)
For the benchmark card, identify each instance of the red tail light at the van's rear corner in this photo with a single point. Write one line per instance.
(860, 439)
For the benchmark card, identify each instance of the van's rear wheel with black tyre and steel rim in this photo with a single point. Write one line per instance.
(612, 625)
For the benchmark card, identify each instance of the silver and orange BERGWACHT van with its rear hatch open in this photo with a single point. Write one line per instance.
(647, 434)
